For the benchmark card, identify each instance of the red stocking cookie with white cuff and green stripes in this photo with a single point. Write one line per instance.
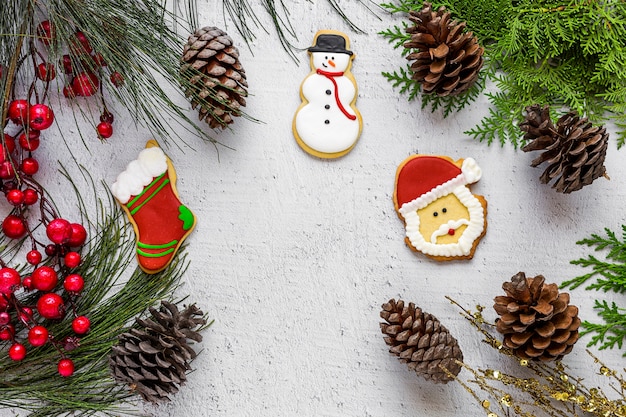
(146, 190)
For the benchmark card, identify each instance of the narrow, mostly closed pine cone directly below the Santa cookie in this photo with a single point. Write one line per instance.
(419, 340)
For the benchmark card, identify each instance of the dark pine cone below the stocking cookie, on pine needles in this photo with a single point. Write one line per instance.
(154, 357)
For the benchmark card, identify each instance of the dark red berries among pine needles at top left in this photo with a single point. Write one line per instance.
(83, 69)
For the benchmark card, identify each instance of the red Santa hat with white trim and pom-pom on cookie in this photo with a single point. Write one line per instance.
(422, 179)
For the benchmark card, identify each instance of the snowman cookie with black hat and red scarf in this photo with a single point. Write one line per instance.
(327, 124)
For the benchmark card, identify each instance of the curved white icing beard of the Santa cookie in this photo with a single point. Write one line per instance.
(466, 241)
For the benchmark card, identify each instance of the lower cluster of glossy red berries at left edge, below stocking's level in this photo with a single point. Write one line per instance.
(57, 286)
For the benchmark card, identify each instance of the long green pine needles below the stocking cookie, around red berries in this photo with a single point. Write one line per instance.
(115, 293)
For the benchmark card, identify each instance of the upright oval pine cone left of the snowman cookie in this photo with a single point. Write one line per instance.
(216, 80)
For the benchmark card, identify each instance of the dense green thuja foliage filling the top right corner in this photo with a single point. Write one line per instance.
(568, 55)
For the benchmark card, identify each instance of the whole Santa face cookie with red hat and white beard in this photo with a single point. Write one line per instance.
(443, 219)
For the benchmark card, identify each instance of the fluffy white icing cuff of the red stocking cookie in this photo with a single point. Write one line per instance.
(150, 163)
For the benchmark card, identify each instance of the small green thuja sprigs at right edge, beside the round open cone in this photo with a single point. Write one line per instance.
(608, 274)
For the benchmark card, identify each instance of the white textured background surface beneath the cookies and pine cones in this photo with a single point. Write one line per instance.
(293, 256)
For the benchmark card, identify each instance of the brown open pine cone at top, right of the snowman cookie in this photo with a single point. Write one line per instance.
(447, 61)
